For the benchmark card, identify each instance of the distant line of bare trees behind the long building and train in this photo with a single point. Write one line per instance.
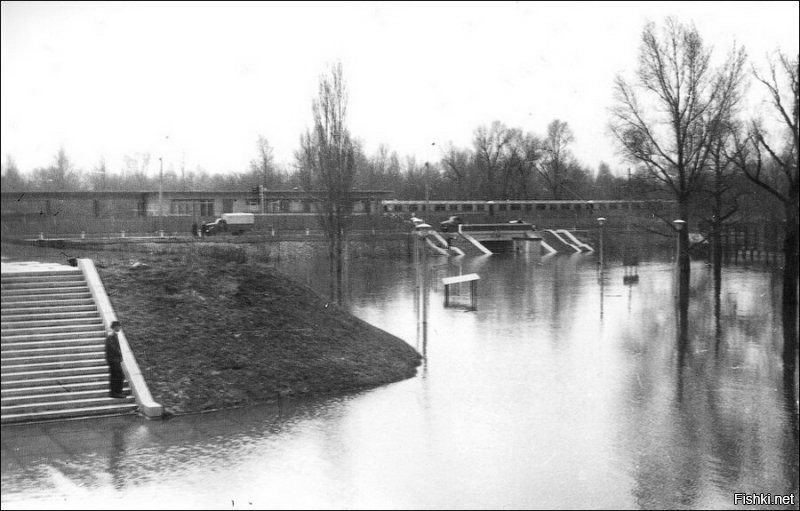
(501, 163)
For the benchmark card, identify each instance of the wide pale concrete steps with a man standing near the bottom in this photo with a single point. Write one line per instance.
(53, 356)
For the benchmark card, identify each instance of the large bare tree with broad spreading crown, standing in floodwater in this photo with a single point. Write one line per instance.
(665, 119)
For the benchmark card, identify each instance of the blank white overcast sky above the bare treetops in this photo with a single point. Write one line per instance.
(198, 82)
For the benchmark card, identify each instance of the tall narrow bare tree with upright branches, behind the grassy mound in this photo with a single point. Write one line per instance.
(328, 155)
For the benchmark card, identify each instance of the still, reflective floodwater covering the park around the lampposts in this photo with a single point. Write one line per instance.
(565, 389)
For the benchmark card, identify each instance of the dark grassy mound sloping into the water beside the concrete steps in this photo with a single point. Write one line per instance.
(212, 332)
